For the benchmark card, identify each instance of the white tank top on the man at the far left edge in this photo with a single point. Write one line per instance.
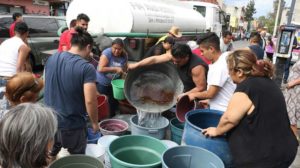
(9, 51)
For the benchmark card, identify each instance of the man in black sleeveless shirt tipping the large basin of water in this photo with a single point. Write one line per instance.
(191, 69)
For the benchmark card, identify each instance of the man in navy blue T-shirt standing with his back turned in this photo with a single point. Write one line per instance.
(70, 89)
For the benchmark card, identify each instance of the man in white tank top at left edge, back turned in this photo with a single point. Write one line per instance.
(14, 52)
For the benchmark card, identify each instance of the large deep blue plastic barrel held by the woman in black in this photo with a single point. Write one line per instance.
(197, 120)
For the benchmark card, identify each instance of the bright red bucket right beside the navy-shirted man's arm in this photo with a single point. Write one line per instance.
(103, 107)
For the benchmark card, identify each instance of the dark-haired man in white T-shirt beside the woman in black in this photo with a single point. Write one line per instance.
(220, 85)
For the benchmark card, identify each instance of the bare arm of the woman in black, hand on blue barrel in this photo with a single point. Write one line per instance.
(238, 107)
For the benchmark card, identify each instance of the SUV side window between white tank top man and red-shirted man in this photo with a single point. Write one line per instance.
(42, 27)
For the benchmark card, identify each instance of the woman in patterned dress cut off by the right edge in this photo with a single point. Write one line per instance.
(292, 97)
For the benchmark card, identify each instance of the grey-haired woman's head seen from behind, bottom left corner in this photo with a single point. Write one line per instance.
(27, 133)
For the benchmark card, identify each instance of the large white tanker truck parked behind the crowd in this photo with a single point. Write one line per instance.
(142, 22)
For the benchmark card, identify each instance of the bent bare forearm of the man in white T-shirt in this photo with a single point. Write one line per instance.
(208, 94)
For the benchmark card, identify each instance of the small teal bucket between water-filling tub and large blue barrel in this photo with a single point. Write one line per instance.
(176, 130)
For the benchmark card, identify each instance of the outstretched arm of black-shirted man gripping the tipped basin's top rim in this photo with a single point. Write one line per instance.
(151, 60)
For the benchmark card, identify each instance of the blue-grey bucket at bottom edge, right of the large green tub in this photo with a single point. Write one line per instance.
(191, 157)
